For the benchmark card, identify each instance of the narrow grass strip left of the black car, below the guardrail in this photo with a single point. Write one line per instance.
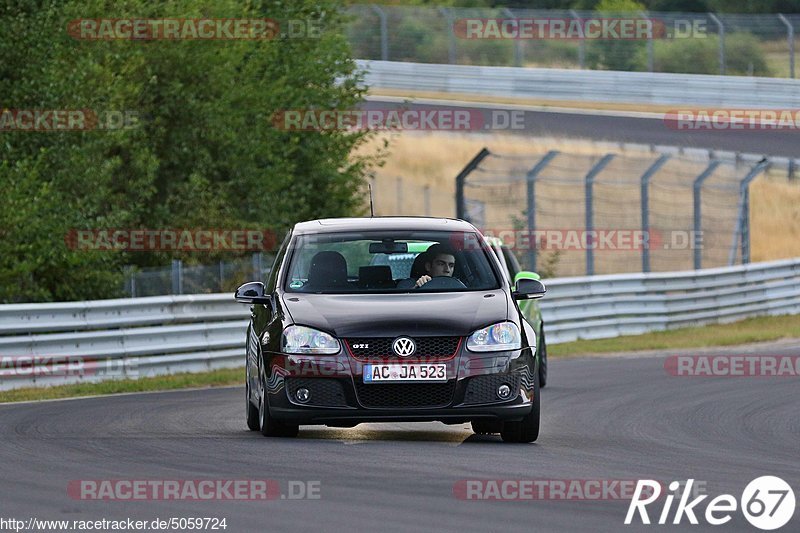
(213, 378)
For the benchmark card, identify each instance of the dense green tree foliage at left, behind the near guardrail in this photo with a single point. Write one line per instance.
(204, 152)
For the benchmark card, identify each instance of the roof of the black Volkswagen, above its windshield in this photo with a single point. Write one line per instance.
(335, 225)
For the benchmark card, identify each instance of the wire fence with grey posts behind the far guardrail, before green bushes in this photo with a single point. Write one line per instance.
(692, 43)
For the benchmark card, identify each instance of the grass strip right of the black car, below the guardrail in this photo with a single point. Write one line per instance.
(759, 329)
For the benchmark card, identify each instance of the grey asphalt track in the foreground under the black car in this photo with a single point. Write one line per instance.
(603, 418)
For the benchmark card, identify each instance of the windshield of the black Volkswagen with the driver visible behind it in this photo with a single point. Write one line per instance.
(358, 262)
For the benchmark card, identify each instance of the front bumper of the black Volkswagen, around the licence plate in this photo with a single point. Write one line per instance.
(338, 395)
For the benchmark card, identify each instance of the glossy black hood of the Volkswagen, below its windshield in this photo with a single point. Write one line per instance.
(387, 315)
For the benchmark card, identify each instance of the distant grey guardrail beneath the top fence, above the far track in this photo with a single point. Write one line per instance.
(585, 85)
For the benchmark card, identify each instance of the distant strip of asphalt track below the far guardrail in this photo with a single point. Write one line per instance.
(644, 128)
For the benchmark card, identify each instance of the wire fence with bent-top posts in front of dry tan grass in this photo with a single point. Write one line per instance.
(572, 214)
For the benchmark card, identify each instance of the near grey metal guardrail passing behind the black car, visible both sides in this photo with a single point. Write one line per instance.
(167, 334)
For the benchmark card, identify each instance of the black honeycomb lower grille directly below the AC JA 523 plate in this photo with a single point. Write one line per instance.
(405, 394)
